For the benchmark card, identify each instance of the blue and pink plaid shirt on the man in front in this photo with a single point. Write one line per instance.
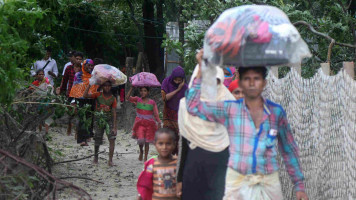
(253, 150)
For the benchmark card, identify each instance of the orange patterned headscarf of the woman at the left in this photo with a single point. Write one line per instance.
(81, 81)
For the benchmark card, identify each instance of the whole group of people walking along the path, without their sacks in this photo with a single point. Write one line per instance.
(221, 148)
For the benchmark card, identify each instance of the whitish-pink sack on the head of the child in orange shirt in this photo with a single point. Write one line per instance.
(104, 72)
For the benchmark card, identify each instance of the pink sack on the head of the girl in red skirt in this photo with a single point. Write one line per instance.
(145, 79)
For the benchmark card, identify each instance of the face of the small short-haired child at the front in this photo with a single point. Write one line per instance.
(164, 145)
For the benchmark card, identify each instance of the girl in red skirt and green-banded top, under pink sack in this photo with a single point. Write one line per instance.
(145, 125)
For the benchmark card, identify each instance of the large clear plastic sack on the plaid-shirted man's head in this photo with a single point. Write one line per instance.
(254, 35)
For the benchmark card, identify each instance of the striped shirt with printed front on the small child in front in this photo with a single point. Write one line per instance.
(164, 180)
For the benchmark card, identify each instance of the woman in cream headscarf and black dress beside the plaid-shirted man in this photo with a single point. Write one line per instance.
(203, 154)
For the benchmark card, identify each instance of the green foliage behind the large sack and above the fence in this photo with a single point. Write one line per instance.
(326, 16)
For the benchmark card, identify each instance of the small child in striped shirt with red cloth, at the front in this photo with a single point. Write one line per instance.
(158, 179)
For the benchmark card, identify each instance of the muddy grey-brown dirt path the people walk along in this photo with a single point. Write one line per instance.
(119, 181)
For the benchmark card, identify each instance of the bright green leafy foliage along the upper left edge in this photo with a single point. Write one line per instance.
(17, 20)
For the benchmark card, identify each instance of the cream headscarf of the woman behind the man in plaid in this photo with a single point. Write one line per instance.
(210, 136)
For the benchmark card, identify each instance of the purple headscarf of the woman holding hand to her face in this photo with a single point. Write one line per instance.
(169, 86)
